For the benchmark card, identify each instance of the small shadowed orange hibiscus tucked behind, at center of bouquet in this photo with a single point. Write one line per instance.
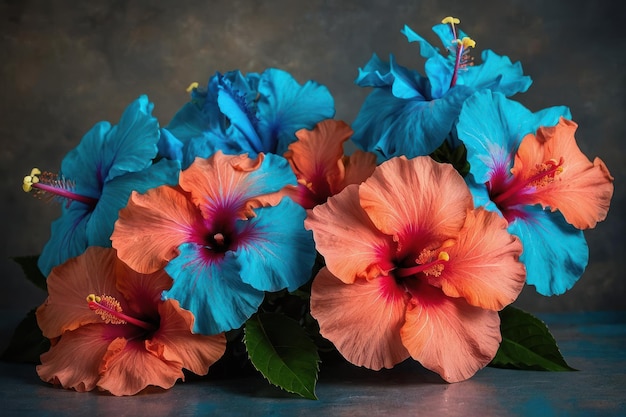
(322, 169)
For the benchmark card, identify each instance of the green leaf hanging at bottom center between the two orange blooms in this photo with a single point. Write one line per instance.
(280, 349)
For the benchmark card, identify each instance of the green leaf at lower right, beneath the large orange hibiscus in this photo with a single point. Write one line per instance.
(527, 344)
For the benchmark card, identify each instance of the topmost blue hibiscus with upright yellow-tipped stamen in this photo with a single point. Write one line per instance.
(411, 114)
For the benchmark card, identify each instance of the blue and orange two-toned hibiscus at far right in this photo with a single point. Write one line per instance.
(528, 168)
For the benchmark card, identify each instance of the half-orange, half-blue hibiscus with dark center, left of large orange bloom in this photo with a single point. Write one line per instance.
(225, 235)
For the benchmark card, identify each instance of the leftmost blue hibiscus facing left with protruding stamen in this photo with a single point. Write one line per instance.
(96, 180)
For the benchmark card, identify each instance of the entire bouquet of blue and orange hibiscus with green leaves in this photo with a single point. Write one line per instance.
(241, 233)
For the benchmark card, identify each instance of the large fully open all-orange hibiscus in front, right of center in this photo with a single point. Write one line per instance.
(413, 270)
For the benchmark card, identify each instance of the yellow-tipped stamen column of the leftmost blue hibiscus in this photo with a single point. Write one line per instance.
(52, 186)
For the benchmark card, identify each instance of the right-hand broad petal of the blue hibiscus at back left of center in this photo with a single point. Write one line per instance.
(284, 107)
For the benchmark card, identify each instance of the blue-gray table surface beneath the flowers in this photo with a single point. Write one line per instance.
(593, 343)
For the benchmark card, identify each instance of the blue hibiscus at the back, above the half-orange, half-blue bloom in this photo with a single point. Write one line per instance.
(246, 114)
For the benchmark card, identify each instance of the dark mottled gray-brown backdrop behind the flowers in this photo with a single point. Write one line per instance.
(68, 64)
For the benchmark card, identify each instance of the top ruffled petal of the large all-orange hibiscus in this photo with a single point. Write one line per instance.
(417, 194)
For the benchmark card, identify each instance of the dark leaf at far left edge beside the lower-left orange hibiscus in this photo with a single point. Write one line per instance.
(27, 343)
